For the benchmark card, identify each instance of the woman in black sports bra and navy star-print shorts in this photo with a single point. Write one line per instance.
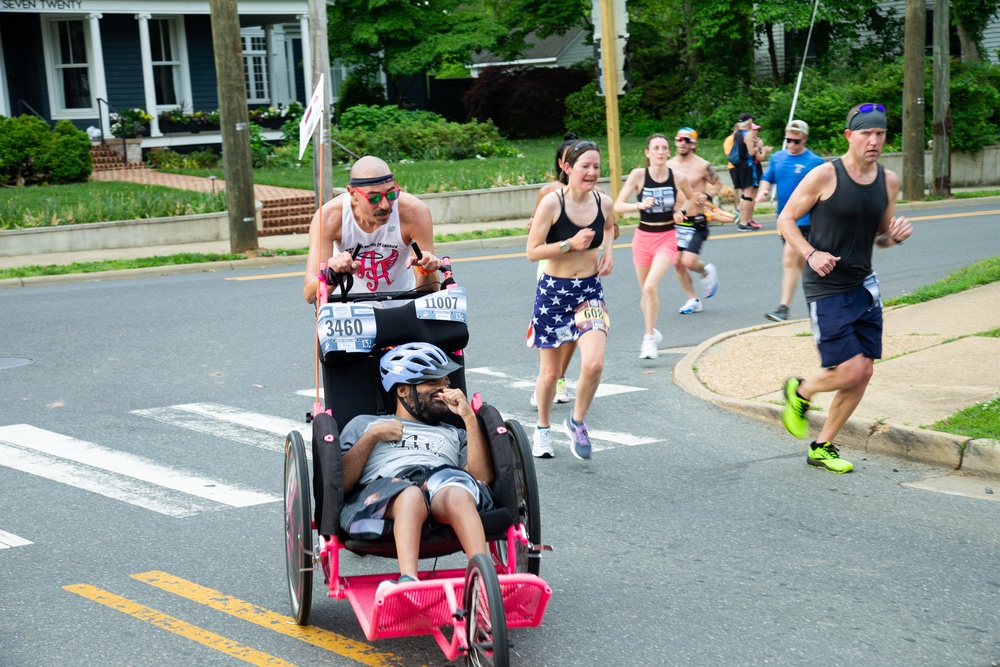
(573, 230)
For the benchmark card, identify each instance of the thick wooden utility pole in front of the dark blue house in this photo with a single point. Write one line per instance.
(234, 119)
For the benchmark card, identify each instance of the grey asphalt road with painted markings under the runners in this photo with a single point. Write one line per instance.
(693, 537)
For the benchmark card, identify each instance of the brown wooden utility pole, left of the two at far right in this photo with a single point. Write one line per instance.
(913, 99)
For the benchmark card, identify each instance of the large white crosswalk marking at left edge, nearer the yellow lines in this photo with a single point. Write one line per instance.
(118, 475)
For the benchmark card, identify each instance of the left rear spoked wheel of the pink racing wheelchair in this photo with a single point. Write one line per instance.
(298, 528)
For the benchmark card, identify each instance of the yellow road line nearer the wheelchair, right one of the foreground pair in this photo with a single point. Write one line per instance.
(286, 625)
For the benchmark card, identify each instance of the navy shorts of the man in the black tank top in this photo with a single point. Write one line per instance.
(846, 325)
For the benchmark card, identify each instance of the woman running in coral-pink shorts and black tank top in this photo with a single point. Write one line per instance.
(660, 198)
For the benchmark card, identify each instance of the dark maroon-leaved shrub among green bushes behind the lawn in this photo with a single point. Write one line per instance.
(525, 102)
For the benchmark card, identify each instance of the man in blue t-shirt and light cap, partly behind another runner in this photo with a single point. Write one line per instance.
(787, 169)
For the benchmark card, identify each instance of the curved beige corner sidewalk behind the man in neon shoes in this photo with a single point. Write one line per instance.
(933, 365)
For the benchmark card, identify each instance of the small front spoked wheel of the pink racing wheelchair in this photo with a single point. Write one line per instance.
(485, 623)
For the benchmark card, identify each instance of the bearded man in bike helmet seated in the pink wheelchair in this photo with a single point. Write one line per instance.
(407, 467)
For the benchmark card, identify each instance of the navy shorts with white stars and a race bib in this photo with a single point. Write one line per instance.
(565, 309)
